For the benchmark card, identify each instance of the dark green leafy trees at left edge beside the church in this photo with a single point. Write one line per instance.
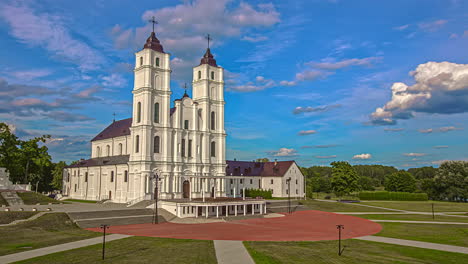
(28, 161)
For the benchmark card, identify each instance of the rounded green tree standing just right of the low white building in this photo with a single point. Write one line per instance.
(344, 178)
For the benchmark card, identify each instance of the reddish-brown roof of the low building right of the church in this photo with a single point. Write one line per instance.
(251, 168)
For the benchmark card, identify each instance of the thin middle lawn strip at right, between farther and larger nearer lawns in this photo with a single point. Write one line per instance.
(415, 217)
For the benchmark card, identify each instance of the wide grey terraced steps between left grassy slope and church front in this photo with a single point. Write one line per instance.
(114, 217)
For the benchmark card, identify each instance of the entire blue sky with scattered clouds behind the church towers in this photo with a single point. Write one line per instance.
(370, 82)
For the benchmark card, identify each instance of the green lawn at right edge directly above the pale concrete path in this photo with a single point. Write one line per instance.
(456, 235)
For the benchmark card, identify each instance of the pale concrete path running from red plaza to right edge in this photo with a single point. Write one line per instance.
(418, 244)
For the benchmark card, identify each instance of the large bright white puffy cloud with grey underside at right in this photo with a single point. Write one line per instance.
(441, 87)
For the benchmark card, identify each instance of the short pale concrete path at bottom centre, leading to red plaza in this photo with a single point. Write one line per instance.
(232, 252)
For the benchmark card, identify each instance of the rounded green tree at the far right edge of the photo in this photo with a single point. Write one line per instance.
(452, 181)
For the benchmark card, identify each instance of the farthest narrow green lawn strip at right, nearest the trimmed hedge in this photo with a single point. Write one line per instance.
(421, 206)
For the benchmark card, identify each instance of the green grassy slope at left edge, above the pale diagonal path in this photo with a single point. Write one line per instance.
(47, 230)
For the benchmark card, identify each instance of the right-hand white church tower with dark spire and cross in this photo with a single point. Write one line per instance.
(208, 92)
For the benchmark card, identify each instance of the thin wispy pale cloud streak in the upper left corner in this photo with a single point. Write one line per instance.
(49, 32)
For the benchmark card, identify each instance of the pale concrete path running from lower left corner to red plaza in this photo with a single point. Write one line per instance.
(57, 248)
